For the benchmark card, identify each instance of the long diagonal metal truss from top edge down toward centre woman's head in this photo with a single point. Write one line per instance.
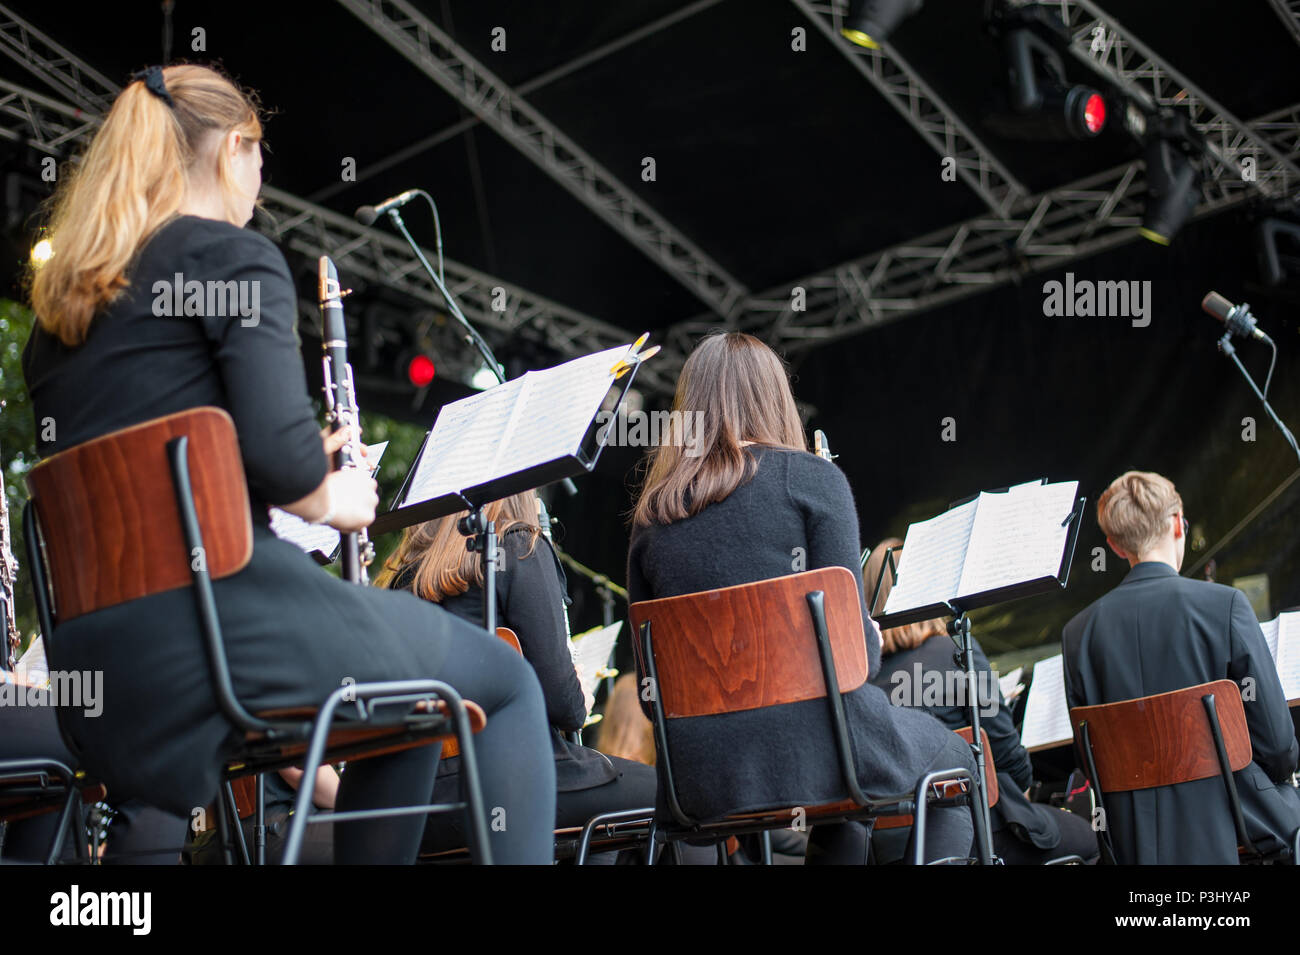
(504, 110)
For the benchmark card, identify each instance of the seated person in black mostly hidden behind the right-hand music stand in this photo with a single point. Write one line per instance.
(921, 656)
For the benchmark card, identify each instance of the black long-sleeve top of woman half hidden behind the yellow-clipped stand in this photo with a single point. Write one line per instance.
(530, 592)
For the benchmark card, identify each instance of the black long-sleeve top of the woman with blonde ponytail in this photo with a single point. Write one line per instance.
(149, 362)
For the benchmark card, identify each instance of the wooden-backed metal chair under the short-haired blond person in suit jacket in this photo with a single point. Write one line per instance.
(1167, 740)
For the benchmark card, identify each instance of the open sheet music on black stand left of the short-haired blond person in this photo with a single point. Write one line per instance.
(994, 548)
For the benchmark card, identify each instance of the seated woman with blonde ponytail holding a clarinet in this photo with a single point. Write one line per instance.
(157, 301)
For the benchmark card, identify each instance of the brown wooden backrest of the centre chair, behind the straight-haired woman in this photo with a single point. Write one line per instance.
(753, 646)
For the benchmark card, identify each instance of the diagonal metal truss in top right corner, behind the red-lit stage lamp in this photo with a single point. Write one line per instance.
(1112, 51)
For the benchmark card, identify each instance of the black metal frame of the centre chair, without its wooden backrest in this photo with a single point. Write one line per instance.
(916, 804)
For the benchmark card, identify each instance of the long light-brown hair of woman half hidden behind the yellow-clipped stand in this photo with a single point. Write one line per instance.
(437, 552)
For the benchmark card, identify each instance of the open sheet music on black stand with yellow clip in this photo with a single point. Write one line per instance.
(514, 437)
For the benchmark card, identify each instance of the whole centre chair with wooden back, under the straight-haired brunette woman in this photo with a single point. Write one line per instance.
(804, 636)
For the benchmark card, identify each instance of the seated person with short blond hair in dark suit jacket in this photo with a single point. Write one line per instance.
(1156, 633)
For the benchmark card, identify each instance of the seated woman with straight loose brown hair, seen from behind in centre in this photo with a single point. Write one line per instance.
(749, 503)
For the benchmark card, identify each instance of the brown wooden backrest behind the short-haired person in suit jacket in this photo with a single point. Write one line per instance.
(1164, 740)
